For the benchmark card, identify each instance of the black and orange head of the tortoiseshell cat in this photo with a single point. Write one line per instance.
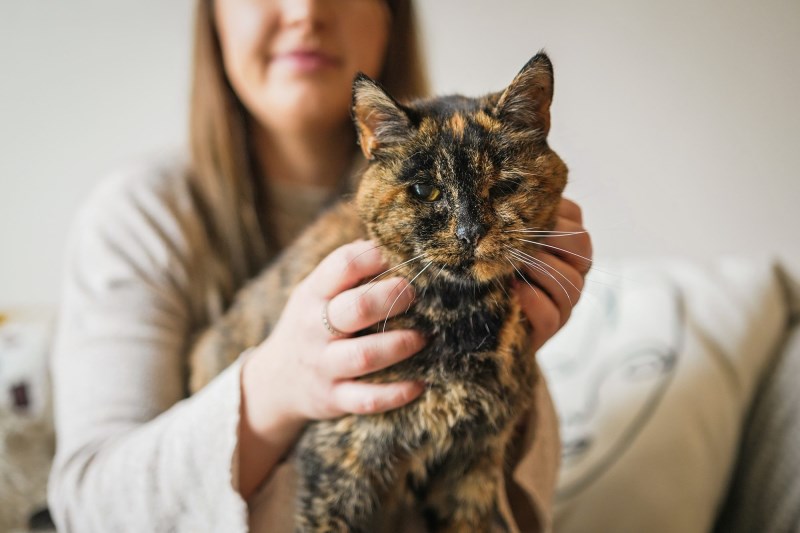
(458, 182)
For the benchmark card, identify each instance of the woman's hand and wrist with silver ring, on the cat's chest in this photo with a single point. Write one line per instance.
(303, 372)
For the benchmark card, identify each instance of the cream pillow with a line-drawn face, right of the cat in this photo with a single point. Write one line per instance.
(652, 378)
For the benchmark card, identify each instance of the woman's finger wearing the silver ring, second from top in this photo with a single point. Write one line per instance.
(356, 309)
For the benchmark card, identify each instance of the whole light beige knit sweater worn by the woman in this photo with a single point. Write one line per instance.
(133, 454)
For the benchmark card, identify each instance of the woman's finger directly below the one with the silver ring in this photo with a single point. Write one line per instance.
(351, 358)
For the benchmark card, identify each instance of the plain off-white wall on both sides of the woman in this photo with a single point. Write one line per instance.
(679, 120)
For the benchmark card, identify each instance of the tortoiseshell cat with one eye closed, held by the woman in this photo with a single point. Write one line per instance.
(456, 181)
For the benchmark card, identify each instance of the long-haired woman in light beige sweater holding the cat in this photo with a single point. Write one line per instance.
(159, 251)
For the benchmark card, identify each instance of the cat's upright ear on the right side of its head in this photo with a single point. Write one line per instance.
(525, 104)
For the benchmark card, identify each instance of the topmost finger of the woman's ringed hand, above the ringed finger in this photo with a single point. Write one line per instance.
(344, 268)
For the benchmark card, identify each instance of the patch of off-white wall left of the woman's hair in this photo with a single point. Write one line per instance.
(84, 86)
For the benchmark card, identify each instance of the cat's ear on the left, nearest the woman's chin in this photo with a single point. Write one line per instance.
(379, 119)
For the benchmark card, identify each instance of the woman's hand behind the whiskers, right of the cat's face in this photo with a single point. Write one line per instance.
(556, 287)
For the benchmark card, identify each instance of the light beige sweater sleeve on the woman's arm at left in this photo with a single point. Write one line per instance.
(132, 453)
